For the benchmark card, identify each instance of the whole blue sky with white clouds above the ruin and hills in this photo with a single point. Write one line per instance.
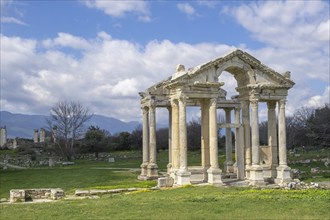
(103, 53)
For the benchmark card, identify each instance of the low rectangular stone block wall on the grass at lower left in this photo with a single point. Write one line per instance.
(25, 195)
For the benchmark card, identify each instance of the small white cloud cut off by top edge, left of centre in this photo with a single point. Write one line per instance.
(118, 8)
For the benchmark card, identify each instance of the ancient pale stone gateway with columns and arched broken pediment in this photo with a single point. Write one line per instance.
(199, 86)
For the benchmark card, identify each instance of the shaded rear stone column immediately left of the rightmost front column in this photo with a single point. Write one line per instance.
(272, 136)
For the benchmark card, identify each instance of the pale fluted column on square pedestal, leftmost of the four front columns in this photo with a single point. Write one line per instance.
(183, 174)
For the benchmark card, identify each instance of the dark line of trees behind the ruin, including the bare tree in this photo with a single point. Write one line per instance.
(308, 127)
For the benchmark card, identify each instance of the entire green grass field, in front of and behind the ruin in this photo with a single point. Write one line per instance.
(202, 202)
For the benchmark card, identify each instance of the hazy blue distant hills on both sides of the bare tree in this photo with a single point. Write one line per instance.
(22, 125)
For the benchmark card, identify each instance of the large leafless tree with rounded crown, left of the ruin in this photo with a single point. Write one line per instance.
(68, 118)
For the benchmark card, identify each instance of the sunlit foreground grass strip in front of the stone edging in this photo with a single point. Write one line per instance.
(184, 203)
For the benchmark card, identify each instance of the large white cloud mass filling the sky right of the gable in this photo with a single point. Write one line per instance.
(297, 37)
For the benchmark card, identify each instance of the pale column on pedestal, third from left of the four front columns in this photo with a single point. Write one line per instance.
(256, 177)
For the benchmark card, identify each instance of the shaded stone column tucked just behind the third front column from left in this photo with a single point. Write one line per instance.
(247, 136)
